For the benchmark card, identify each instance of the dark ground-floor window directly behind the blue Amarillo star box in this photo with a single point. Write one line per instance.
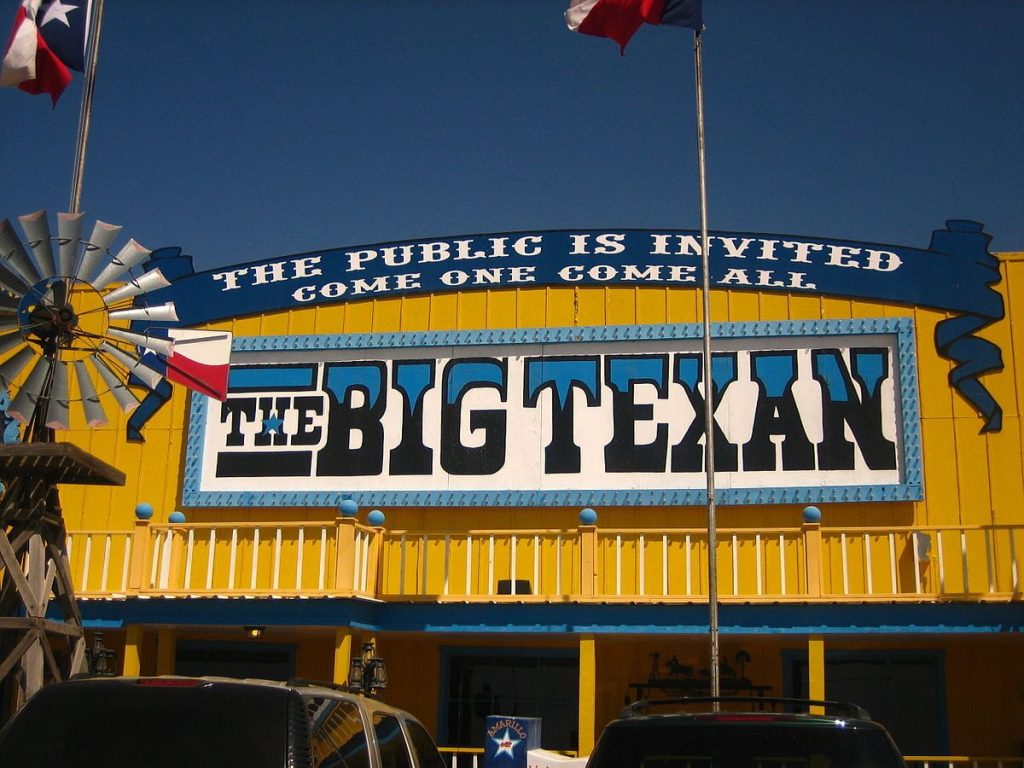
(539, 684)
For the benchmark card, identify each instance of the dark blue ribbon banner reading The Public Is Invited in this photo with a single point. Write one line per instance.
(957, 275)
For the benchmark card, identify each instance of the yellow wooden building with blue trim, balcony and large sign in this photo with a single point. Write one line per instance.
(902, 592)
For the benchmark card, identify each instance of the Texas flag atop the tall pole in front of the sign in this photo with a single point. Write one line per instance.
(619, 20)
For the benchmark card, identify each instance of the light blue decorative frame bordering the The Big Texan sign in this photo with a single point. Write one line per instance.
(911, 490)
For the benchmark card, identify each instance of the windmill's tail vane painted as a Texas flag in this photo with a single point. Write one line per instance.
(199, 360)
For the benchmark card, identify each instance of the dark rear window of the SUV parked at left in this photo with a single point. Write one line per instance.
(103, 726)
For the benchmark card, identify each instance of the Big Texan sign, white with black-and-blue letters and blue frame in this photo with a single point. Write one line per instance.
(802, 411)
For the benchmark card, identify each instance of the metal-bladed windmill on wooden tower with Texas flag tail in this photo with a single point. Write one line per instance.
(76, 330)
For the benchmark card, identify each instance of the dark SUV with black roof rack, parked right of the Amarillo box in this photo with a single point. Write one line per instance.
(740, 733)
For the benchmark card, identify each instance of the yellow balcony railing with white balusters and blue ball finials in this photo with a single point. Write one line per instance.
(345, 559)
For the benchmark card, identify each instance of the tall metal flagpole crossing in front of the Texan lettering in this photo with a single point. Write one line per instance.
(714, 667)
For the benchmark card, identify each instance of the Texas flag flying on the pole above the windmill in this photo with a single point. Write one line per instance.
(48, 40)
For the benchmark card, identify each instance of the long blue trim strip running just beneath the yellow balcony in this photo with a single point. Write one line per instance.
(561, 619)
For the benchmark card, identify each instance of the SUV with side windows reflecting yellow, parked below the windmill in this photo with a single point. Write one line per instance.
(165, 722)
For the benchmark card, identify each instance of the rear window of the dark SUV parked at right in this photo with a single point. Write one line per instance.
(659, 745)
